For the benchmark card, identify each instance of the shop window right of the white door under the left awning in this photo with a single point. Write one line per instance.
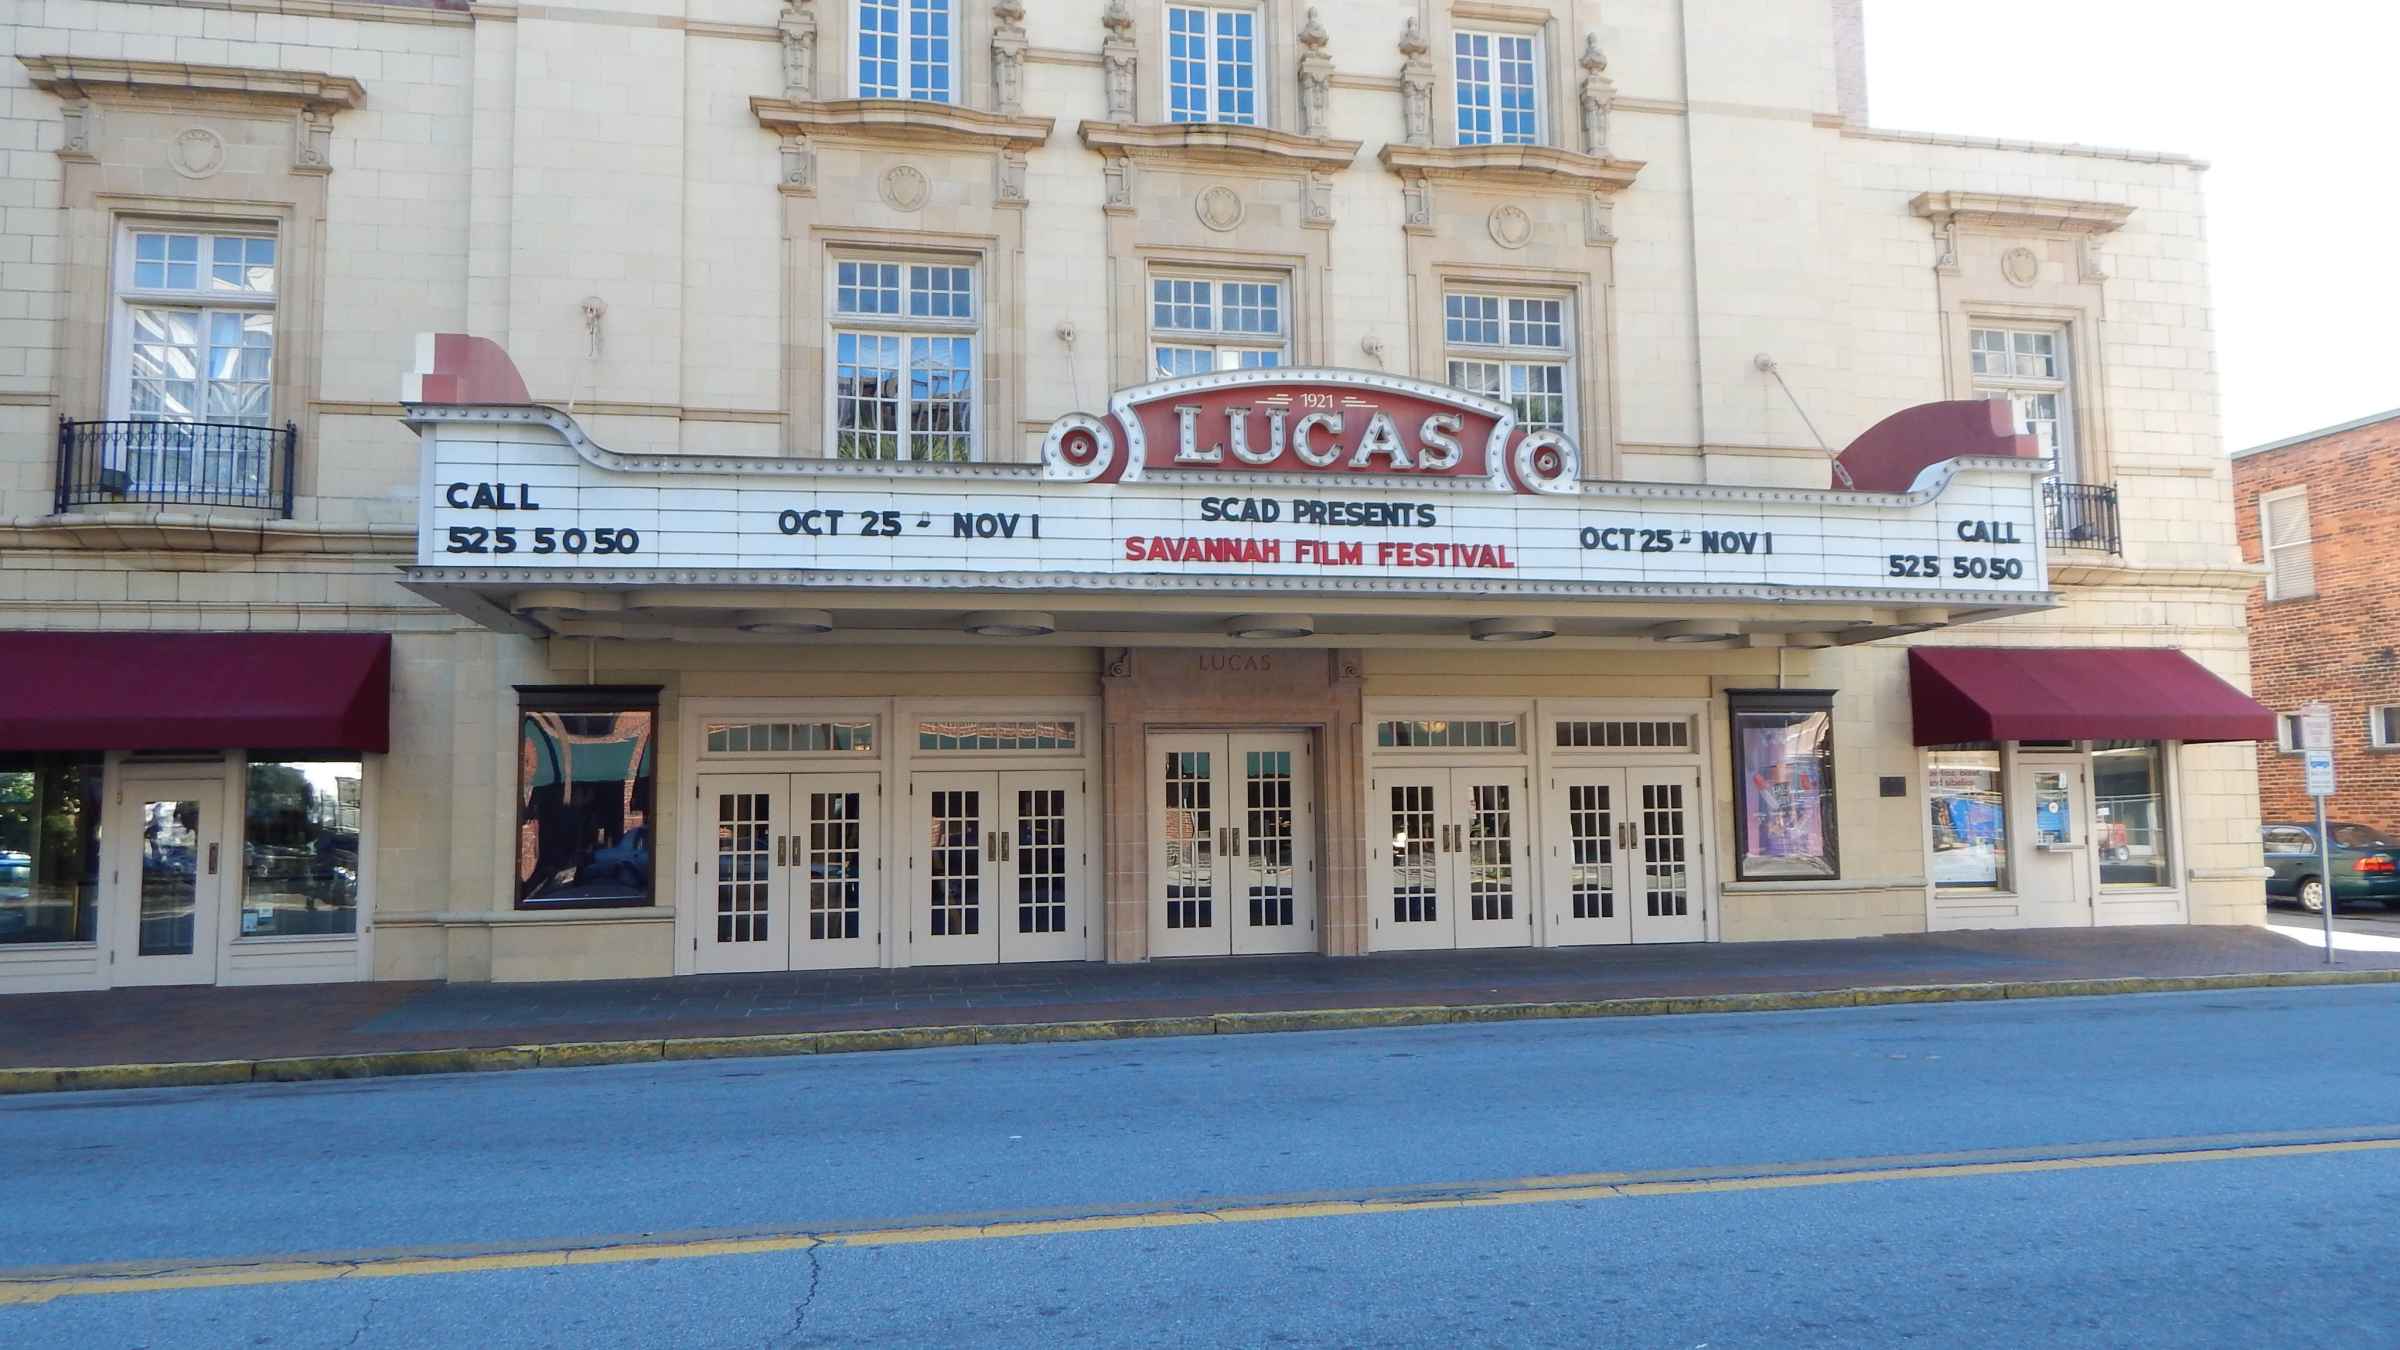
(301, 849)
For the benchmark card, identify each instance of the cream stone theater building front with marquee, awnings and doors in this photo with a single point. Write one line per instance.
(1412, 479)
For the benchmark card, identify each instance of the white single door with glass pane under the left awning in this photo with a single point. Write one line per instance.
(167, 880)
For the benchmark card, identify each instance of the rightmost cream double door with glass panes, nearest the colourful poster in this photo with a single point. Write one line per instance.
(1624, 856)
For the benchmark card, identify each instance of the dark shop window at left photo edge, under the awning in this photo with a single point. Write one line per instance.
(49, 847)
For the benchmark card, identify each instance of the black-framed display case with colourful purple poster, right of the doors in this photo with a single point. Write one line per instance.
(1784, 784)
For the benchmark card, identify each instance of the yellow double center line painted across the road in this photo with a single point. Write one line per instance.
(162, 1277)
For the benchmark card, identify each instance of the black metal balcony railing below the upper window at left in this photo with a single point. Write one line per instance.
(176, 465)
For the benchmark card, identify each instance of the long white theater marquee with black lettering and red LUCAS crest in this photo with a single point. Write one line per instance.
(1240, 484)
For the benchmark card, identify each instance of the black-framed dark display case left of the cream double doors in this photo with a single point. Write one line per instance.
(584, 789)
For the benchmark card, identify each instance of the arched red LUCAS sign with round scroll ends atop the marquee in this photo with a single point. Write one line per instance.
(1256, 424)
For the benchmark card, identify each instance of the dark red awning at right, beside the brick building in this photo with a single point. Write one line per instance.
(2075, 693)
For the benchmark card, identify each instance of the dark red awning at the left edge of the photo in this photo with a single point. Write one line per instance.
(196, 691)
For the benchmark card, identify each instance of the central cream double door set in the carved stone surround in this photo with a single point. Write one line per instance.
(1232, 844)
